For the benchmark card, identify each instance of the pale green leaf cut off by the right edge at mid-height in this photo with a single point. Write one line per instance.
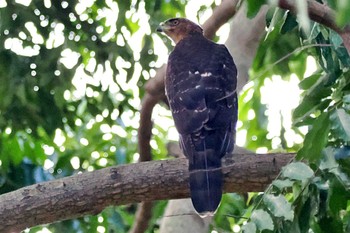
(340, 123)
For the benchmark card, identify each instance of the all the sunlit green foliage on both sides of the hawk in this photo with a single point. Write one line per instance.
(72, 80)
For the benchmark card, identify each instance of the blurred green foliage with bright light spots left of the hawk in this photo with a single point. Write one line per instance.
(72, 75)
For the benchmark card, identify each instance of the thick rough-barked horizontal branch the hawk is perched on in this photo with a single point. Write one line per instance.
(91, 192)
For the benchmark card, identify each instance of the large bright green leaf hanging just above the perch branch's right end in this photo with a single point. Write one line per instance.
(315, 139)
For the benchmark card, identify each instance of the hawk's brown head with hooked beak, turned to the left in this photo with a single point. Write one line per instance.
(179, 28)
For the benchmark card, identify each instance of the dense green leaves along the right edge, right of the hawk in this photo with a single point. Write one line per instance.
(314, 197)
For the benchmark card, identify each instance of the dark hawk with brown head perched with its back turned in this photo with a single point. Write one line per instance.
(201, 89)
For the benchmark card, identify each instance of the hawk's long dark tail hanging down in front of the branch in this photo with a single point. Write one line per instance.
(205, 182)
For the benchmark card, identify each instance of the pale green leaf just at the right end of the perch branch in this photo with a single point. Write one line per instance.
(297, 171)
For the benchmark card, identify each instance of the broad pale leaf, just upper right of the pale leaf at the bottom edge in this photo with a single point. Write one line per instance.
(279, 206)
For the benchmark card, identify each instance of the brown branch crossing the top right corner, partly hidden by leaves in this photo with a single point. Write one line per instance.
(321, 14)
